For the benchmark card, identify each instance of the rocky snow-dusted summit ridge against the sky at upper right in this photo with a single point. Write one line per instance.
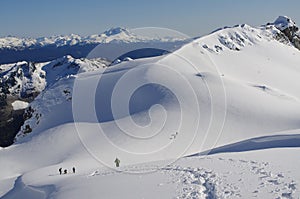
(235, 38)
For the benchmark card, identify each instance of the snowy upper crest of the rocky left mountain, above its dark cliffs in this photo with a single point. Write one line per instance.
(26, 78)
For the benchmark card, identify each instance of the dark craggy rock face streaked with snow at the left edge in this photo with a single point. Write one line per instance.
(16, 83)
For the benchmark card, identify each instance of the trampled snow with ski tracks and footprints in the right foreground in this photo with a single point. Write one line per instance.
(201, 182)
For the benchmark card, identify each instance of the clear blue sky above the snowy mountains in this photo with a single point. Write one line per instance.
(34, 18)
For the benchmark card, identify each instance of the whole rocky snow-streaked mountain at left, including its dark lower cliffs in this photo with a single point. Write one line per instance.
(21, 82)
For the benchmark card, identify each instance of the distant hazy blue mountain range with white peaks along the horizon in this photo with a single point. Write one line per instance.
(14, 49)
